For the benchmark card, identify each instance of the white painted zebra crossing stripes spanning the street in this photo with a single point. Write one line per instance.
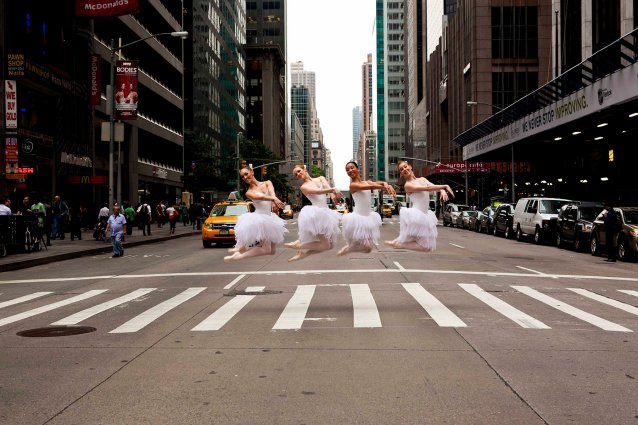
(294, 314)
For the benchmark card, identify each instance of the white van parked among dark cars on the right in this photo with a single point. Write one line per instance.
(537, 216)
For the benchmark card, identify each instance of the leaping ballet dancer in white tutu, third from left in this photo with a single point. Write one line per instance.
(361, 228)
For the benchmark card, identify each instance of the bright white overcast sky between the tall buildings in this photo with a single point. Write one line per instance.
(333, 38)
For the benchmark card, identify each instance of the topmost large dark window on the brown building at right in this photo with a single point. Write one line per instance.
(514, 32)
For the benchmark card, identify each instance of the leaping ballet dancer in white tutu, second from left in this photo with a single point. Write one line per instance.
(318, 224)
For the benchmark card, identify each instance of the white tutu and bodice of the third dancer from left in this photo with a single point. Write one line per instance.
(363, 225)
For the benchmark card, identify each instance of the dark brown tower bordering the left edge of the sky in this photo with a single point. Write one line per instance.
(266, 73)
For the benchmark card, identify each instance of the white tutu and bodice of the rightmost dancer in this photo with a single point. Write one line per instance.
(418, 223)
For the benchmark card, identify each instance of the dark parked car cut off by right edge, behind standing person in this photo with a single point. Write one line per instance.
(627, 241)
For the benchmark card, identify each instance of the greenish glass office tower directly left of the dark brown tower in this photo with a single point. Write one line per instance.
(217, 87)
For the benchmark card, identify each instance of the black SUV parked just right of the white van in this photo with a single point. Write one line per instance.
(574, 224)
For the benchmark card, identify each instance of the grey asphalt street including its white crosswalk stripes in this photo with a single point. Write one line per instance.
(482, 331)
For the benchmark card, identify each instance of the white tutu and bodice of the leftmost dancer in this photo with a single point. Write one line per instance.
(261, 226)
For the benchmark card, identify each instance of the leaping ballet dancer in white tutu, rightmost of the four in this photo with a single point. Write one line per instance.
(418, 223)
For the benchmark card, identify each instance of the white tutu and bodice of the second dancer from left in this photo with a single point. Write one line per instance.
(317, 219)
